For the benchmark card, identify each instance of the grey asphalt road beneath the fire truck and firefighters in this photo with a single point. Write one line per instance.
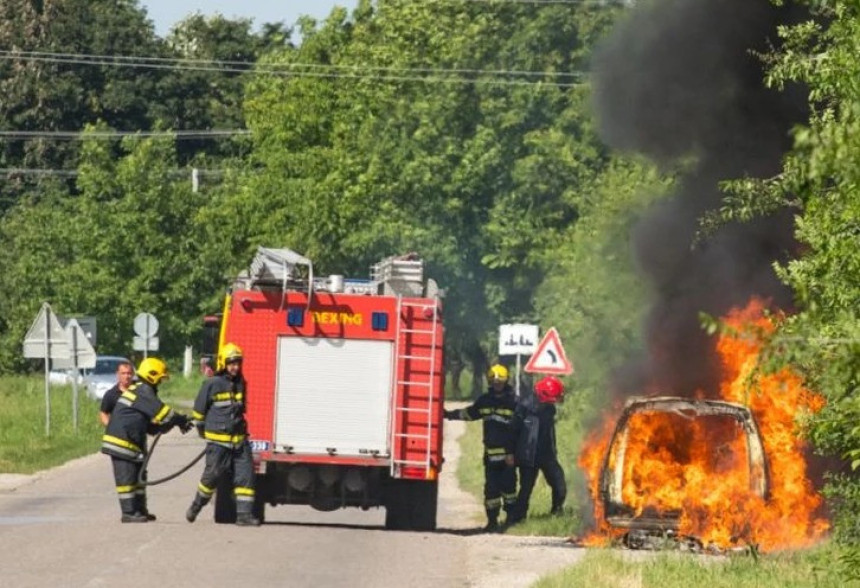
(61, 528)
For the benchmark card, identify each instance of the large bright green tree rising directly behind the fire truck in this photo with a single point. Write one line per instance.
(407, 140)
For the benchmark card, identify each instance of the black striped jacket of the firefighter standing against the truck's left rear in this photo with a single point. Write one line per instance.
(220, 410)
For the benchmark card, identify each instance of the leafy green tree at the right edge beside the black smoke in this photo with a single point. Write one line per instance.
(819, 180)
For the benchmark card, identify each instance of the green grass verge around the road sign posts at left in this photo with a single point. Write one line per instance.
(24, 445)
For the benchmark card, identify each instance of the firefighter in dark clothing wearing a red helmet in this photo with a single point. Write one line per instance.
(534, 423)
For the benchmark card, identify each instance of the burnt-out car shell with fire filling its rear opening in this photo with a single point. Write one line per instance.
(663, 446)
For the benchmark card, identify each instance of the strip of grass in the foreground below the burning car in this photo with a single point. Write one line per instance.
(601, 568)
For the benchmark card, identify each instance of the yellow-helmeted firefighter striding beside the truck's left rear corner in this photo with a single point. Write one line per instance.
(219, 413)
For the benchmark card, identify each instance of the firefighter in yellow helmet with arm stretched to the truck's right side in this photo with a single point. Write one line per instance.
(496, 409)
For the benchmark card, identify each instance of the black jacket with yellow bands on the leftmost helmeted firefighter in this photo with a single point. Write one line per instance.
(138, 411)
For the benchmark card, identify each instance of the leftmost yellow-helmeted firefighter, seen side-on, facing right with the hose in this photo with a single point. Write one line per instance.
(138, 411)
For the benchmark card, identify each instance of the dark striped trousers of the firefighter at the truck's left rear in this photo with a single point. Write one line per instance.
(234, 461)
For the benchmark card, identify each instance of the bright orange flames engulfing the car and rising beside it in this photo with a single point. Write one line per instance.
(700, 468)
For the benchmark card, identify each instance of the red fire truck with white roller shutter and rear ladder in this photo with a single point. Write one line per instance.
(345, 386)
